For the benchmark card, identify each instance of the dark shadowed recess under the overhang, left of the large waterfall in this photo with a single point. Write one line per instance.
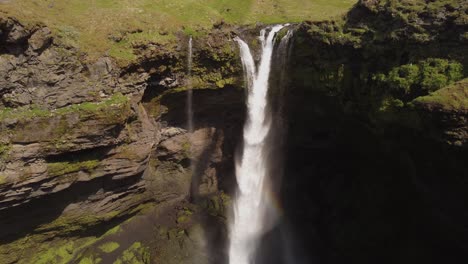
(221, 109)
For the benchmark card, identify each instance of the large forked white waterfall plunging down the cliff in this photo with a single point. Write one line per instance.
(251, 209)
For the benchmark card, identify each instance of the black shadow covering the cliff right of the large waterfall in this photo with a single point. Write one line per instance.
(359, 191)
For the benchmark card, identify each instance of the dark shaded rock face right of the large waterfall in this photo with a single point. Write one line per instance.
(379, 170)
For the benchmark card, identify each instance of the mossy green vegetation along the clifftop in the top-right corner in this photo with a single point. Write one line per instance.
(412, 22)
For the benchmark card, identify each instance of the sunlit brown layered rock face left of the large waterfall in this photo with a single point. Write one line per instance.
(87, 145)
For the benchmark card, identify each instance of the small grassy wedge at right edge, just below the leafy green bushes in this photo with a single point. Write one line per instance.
(452, 97)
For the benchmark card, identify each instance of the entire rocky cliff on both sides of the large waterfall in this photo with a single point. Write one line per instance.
(97, 165)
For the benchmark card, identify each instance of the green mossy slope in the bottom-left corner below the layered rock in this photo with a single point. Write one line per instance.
(65, 248)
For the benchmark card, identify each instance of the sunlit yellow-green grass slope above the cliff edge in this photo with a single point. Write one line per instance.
(112, 26)
